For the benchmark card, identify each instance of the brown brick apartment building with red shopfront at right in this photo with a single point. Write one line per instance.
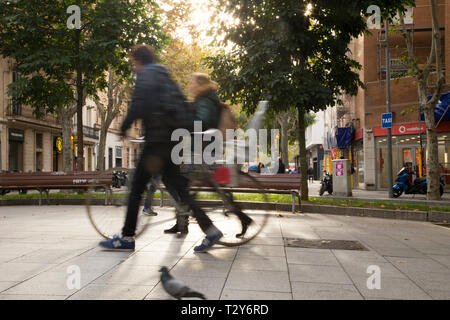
(362, 114)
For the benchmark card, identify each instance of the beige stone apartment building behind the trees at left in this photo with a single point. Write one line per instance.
(29, 144)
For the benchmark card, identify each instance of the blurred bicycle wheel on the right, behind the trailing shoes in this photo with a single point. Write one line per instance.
(231, 217)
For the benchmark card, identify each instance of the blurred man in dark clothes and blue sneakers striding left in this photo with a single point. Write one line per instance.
(149, 105)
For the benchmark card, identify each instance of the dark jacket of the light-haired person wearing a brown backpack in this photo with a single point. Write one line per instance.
(207, 109)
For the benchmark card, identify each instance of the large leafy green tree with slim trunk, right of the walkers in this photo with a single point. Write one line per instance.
(293, 54)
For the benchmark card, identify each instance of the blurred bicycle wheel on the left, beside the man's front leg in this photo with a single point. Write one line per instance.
(108, 220)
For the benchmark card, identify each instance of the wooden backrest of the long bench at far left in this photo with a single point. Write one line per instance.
(52, 179)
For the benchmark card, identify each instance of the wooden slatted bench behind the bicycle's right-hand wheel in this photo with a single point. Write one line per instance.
(273, 184)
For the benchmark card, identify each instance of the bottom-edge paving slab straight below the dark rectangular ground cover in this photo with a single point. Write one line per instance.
(324, 291)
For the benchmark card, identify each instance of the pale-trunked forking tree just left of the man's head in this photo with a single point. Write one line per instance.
(109, 105)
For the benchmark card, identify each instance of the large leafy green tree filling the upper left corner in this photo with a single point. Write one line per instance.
(60, 66)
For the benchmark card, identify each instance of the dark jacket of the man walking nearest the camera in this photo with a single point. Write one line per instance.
(146, 104)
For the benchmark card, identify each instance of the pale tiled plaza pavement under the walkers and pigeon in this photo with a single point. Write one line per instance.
(38, 244)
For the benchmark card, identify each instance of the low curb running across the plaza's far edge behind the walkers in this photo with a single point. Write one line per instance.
(428, 216)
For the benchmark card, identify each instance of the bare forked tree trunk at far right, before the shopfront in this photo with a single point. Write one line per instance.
(423, 76)
